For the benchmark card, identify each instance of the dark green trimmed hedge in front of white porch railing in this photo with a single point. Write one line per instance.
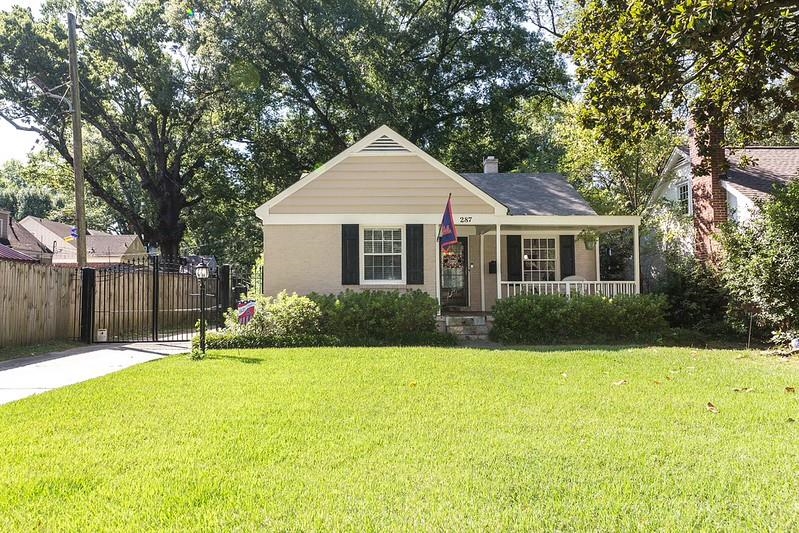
(552, 319)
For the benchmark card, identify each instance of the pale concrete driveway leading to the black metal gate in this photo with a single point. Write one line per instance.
(20, 378)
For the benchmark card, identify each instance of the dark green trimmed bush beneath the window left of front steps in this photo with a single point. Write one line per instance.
(380, 317)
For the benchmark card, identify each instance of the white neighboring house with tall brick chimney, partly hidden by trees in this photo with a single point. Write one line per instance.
(727, 184)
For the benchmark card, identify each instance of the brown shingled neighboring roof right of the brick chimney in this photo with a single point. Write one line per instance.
(767, 166)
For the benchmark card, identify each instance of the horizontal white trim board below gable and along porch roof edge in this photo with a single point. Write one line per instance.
(580, 221)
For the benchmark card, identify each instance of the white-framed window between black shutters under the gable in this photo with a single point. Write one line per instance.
(383, 255)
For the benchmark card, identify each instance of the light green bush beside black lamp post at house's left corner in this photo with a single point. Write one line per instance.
(281, 316)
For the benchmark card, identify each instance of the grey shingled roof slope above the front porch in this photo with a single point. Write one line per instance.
(532, 194)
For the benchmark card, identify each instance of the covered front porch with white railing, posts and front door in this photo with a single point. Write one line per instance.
(557, 255)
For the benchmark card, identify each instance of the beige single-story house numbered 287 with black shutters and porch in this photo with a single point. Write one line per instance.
(369, 219)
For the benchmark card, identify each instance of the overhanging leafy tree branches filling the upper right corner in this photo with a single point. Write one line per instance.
(645, 62)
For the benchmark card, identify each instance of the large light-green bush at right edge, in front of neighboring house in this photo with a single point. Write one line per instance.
(761, 264)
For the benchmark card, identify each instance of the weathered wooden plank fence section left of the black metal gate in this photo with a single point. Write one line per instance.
(38, 303)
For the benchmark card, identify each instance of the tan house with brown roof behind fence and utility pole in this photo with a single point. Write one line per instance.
(101, 248)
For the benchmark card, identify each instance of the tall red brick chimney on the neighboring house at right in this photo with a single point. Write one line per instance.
(708, 168)
